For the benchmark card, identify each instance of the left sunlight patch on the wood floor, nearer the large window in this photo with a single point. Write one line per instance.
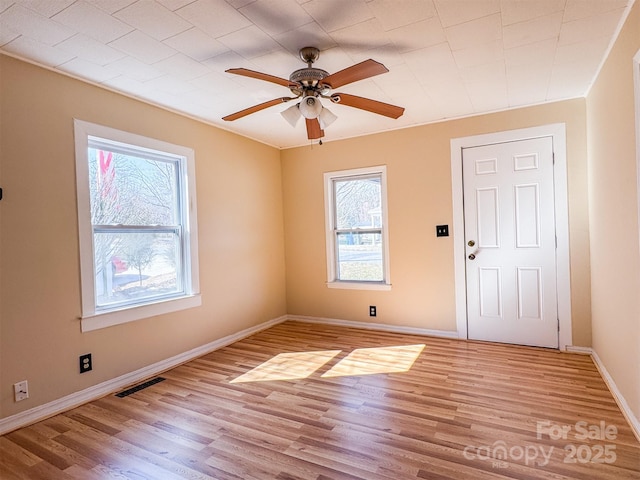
(288, 366)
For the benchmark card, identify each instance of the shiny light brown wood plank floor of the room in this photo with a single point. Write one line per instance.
(341, 403)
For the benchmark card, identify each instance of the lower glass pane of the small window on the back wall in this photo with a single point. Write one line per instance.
(359, 257)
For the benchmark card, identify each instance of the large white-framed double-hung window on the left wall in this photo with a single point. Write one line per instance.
(137, 226)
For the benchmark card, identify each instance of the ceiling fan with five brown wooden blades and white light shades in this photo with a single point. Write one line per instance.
(310, 85)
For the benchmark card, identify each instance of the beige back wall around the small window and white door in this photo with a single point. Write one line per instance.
(419, 194)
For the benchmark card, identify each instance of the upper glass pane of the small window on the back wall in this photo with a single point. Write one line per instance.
(358, 203)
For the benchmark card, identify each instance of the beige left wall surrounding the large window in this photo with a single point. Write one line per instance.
(240, 237)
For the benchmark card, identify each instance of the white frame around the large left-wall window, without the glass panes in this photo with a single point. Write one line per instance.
(92, 317)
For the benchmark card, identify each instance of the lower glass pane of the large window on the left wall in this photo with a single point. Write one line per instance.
(131, 267)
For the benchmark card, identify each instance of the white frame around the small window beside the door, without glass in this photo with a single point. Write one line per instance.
(329, 197)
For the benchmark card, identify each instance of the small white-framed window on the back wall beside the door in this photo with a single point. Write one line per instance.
(356, 220)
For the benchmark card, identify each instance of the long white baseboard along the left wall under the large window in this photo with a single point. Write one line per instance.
(76, 399)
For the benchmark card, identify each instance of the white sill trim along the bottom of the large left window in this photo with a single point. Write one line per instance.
(117, 317)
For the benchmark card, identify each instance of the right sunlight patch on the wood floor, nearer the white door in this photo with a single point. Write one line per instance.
(368, 361)
